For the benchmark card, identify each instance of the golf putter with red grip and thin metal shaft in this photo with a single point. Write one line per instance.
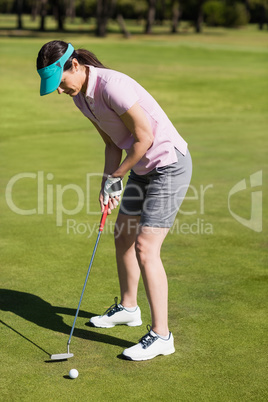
(63, 356)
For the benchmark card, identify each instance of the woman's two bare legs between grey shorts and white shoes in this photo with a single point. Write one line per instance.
(138, 250)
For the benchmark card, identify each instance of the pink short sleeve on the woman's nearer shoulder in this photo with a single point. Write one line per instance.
(120, 94)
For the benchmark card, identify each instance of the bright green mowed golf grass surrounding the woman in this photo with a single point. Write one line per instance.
(214, 89)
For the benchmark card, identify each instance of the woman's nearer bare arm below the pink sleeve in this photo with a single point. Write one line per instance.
(137, 123)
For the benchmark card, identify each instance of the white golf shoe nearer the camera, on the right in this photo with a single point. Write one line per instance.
(150, 346)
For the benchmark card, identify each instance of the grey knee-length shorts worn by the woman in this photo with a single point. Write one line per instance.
(157, 196)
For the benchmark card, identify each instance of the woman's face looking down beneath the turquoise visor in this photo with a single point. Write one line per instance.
(74, 80)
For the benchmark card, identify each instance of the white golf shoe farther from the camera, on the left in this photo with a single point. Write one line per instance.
(117, 315)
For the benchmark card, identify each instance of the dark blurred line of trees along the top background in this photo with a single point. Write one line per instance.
(230, 13)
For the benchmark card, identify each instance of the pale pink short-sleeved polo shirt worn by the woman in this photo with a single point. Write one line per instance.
(110, 94)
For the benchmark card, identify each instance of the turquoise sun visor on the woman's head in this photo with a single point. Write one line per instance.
(51, 75)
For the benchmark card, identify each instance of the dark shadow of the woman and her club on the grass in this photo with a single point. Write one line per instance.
(34, 309)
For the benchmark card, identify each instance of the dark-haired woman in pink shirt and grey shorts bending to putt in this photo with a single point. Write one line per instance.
(128, 118)
